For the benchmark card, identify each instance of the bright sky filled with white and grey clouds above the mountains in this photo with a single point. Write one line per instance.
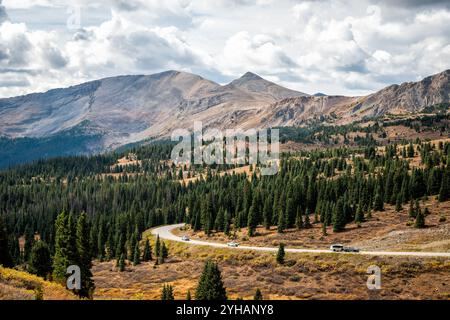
(334, 47)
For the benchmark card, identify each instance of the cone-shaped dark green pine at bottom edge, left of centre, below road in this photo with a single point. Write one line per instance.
(210, 285)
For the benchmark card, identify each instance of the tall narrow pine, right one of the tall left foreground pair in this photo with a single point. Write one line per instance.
(85, 257)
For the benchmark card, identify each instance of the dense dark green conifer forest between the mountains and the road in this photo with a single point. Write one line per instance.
(123, 194)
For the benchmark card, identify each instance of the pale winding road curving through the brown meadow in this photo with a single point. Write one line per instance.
(165, 232)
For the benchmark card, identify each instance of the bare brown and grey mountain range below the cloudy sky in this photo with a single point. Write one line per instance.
(108, 113)
